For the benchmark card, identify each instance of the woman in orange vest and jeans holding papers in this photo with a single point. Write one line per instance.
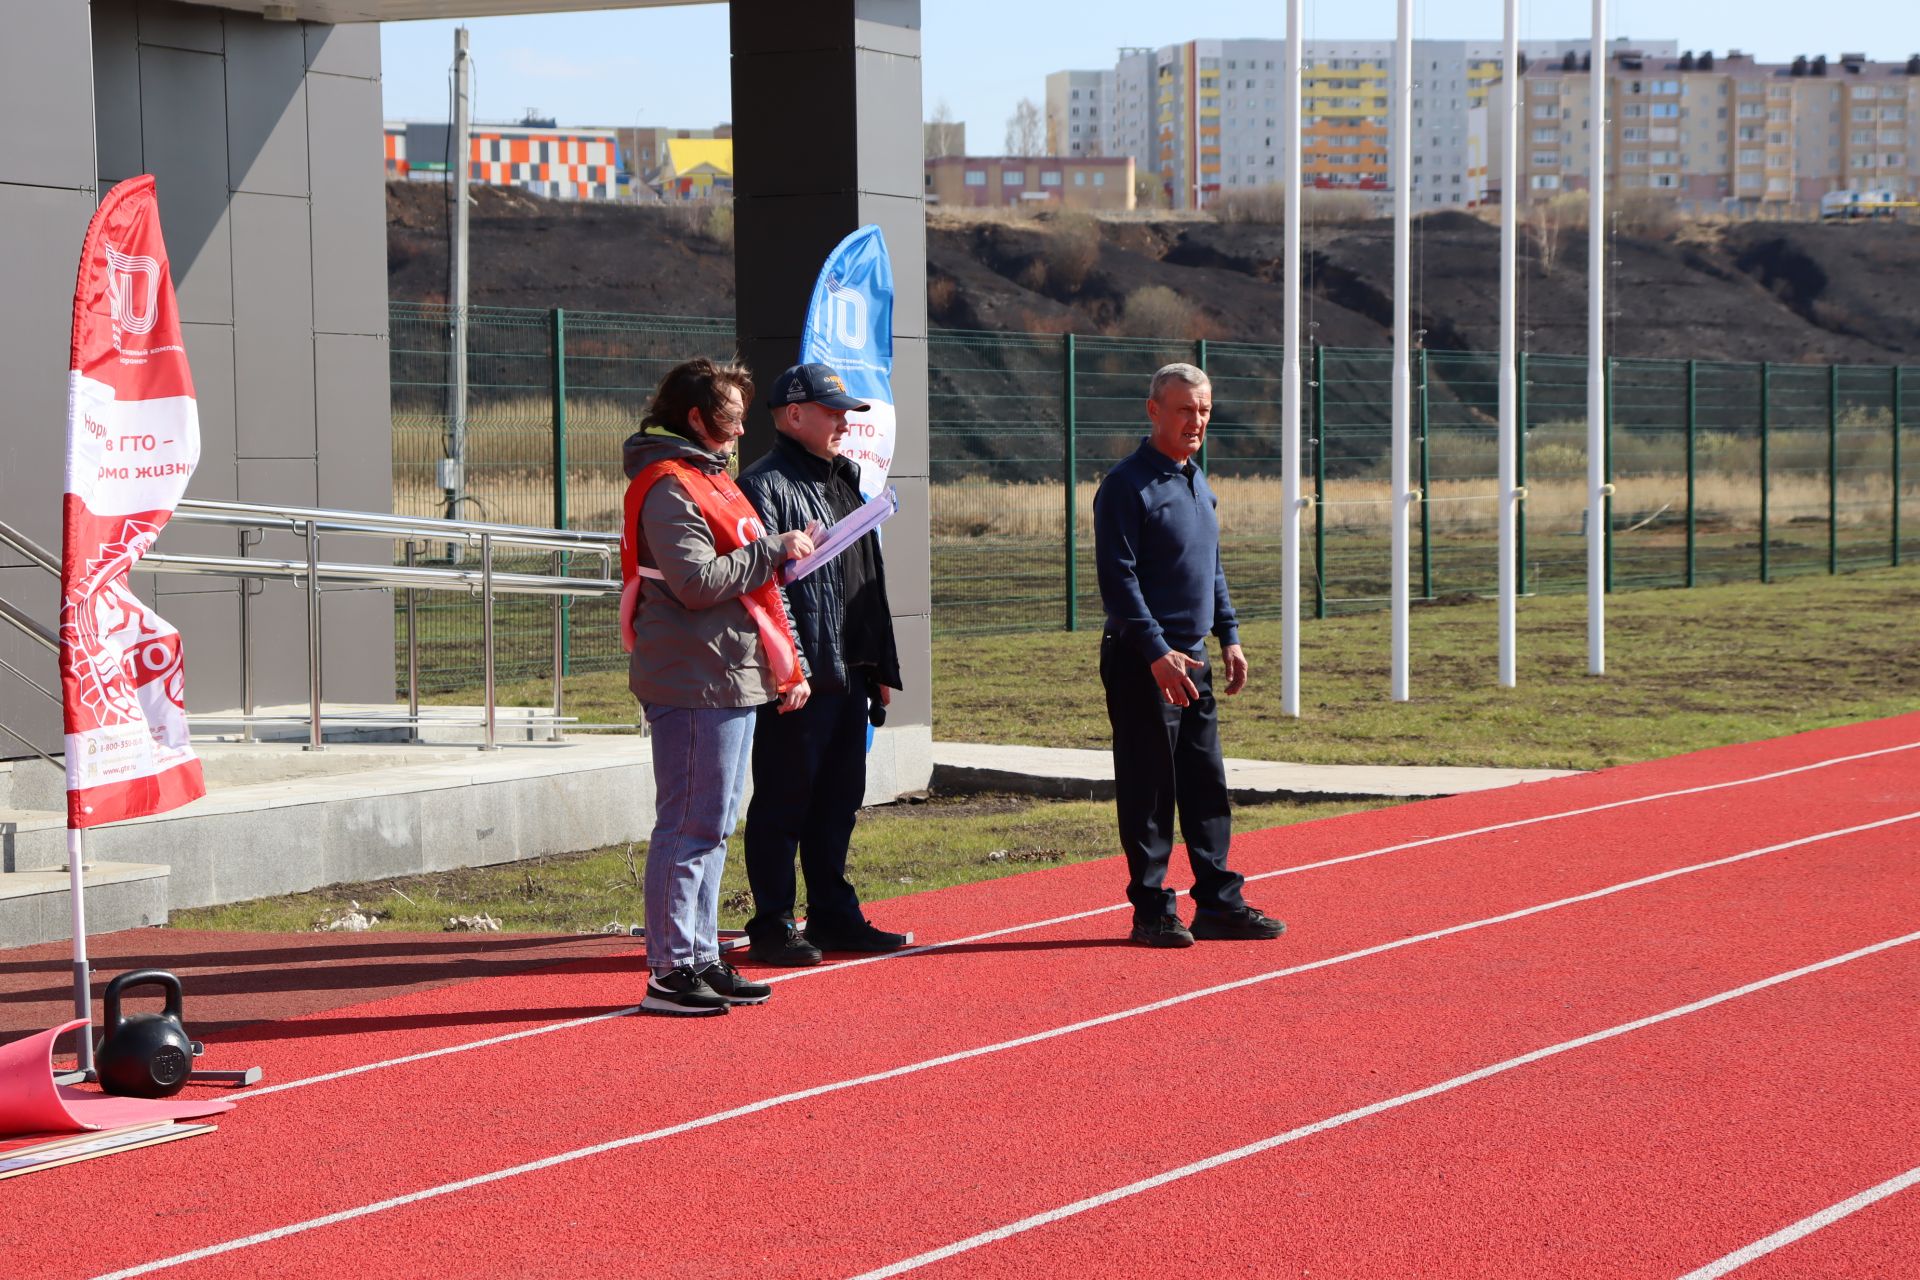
(709, 646)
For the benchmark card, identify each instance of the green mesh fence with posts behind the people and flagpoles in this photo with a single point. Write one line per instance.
(1719, 471)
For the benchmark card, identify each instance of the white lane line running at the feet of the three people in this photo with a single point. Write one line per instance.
(1078, 916)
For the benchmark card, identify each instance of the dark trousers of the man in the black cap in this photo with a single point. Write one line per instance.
(809, 778)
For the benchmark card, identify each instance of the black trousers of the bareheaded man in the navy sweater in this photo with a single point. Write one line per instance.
(1166, 759)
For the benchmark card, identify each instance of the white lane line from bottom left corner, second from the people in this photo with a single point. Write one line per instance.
(948, 1060)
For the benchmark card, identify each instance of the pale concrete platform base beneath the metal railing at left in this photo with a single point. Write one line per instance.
(279, 820)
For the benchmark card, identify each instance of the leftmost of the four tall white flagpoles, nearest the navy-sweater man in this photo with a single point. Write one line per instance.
(1291, 379)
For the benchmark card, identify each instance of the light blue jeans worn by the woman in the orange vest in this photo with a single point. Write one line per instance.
(700, 770)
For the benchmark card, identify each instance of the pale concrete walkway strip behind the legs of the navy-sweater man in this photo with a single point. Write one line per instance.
(1072, 774)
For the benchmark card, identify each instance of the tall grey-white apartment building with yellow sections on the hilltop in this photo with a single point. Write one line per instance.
(1205, 118)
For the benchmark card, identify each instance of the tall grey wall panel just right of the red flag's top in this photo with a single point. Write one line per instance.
(185, 143)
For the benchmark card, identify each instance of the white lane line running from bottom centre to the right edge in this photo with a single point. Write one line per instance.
(1360, 1114)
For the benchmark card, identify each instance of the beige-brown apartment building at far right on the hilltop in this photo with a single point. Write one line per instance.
(1725, 133)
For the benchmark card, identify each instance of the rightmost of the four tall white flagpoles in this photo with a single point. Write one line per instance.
(1596, 356)
